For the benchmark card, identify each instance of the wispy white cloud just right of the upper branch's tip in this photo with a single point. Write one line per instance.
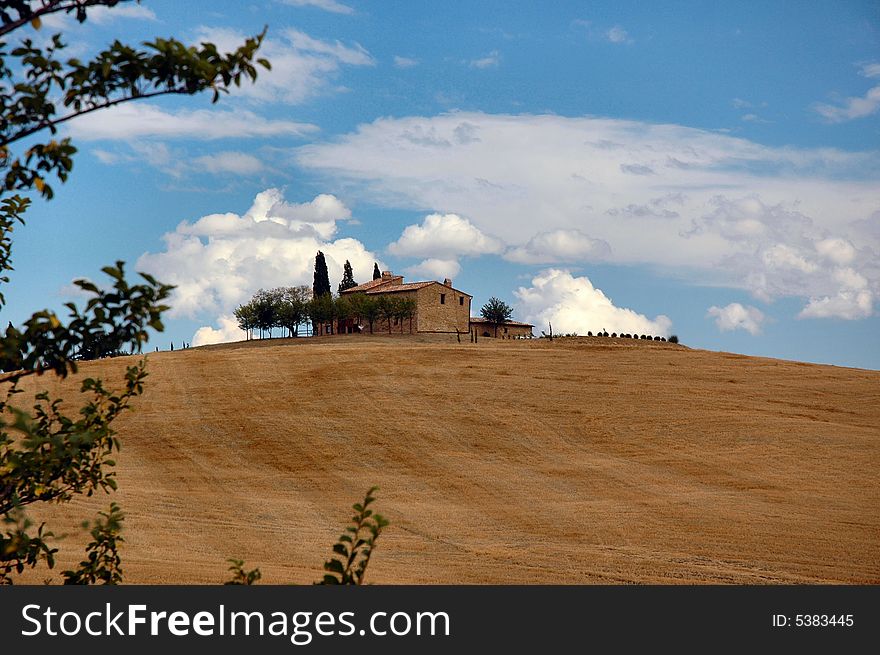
(302, 66)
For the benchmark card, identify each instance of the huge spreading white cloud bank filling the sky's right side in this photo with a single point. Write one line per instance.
(770, 220)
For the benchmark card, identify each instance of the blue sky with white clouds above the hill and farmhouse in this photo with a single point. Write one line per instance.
(708, 171)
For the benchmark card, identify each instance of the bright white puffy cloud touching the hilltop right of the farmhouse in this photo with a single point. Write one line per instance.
(573, 304)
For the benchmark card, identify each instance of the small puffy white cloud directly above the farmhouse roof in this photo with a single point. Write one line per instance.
(444, 236)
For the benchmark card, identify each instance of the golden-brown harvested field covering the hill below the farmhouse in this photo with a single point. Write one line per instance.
(574, 461)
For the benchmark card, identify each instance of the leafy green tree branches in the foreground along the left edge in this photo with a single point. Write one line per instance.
(47, 455)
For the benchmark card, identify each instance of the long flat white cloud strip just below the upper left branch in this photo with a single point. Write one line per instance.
(131, 121)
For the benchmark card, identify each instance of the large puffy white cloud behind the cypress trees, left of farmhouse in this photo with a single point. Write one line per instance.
(220, 260)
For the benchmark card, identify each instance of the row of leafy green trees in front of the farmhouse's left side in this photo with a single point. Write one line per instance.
(289, 308)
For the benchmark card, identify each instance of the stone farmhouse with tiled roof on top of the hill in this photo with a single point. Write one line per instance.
(440, 307)
